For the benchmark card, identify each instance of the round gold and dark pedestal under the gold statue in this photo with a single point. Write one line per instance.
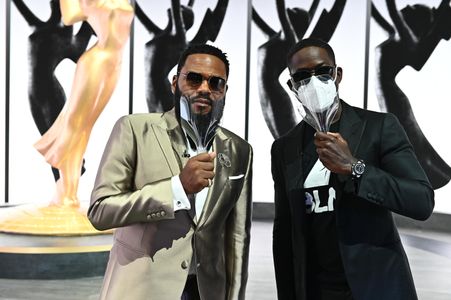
(50, 243)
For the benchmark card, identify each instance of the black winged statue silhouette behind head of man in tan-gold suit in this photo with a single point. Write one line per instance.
(163, 50)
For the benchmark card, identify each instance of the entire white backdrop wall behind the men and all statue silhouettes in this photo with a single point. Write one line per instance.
(30, 178)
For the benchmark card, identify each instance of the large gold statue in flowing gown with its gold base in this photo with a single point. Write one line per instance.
(64, 144)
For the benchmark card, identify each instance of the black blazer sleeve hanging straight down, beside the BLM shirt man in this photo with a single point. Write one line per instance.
(282, 242)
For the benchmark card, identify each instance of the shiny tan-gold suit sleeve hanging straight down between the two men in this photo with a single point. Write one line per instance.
(238, 237)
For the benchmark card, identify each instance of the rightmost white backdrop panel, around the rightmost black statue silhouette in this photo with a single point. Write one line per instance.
(428, 91)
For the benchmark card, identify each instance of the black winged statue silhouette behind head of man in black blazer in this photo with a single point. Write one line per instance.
(275, 102)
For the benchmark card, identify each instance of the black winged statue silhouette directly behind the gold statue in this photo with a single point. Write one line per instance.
(50, 43)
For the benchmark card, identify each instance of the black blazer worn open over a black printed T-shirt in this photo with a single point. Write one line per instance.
(373, 257)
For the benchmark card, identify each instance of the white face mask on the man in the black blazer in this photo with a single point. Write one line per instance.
(319, 98)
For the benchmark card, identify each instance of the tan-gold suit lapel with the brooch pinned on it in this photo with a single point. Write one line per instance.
(221, 144)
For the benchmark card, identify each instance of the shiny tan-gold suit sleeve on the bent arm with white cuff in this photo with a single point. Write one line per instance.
(115, 202)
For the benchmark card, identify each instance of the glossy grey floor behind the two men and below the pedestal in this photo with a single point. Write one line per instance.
(429, 255)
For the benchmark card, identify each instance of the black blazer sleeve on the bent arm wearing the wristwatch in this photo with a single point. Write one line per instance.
(399, 183)
